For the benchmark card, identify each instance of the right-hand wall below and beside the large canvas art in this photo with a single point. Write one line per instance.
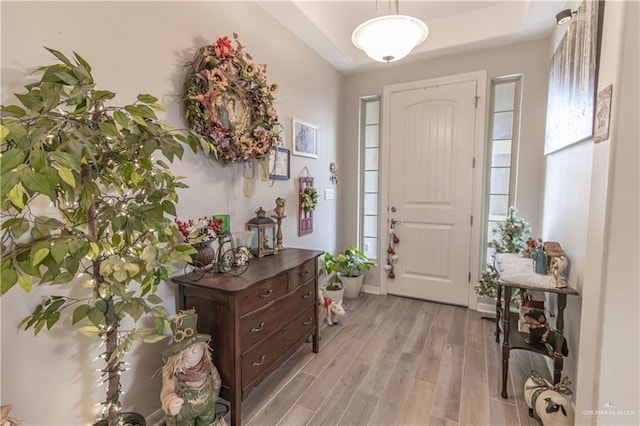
(591, 207)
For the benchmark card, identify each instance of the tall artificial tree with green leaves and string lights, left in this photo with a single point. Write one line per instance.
(100, 169)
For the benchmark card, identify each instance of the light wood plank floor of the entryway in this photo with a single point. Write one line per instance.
(397, 361)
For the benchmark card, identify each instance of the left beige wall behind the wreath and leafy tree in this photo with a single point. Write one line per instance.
(140, 47)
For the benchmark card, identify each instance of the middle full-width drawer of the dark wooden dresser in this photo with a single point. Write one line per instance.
(258, 324)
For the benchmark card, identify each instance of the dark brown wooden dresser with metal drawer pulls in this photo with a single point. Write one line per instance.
(257, 320)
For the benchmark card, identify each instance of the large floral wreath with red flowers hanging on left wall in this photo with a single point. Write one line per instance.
(229, 102)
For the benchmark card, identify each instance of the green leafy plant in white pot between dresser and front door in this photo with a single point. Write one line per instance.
(346, 270)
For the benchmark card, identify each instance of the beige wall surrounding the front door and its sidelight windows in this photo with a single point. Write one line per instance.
(529, 59)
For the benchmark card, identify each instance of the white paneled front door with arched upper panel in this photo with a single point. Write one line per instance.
(431, 132)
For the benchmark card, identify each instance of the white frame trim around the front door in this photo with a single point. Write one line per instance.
(479, 153)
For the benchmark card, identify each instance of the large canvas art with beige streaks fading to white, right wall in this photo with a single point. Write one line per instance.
(573, 79)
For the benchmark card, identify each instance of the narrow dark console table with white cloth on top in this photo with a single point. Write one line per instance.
(515, 271)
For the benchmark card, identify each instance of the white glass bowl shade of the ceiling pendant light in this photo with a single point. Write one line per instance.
(389, 38)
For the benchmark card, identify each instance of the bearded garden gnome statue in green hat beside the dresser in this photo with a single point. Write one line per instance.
(190, 381)
